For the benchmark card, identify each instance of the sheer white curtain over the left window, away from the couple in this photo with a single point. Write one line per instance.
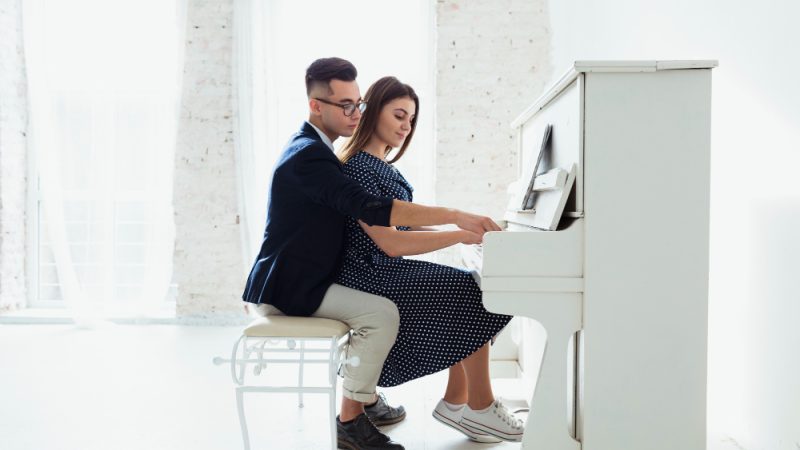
(104, 84)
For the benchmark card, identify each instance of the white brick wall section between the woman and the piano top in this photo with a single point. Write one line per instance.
(492, 61)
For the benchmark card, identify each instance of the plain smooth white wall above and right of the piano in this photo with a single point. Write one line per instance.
(754, 398)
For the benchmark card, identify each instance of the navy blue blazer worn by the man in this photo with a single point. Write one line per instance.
(310, 199)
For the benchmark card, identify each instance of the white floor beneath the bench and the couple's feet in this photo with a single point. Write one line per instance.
(154, 387)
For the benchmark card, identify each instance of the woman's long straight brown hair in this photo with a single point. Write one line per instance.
(378, 95)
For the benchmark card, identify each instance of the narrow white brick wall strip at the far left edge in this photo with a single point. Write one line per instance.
(13, 168)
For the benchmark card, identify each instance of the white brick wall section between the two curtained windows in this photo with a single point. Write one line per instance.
(208, 267)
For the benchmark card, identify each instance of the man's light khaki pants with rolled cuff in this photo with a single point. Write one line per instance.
(374, 321)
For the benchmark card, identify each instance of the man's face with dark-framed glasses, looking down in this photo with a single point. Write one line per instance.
(332, 117)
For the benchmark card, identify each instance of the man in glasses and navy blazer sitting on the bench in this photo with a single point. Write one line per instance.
(300, 256)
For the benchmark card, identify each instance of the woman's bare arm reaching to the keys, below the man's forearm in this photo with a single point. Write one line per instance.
(406, 243)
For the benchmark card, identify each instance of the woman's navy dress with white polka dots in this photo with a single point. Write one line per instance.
(442, 318)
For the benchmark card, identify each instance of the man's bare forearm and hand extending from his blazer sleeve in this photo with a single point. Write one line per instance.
(413, 215)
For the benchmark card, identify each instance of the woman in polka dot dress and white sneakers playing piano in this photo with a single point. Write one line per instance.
(443, 324)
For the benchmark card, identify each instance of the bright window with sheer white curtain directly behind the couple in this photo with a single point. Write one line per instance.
(274, 43)
